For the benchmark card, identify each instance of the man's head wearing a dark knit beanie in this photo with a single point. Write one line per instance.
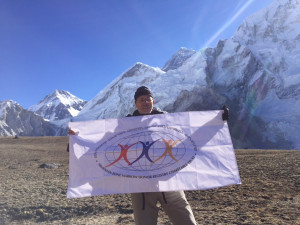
(144, 100)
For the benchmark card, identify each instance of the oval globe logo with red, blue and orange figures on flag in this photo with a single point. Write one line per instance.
(146, 152)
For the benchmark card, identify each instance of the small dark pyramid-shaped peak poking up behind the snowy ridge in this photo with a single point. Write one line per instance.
(178, 59)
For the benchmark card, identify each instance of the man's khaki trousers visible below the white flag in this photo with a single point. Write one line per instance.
(174, 204)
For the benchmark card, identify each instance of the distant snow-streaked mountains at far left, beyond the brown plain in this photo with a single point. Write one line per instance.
(49, 117)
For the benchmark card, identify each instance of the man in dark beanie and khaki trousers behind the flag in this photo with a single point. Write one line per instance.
(174, 203)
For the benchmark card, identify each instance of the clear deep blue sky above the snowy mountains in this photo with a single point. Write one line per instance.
(82, 45)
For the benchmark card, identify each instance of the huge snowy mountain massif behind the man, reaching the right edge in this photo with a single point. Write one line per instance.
(256, 73)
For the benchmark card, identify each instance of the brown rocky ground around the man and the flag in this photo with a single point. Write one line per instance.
(34, 179)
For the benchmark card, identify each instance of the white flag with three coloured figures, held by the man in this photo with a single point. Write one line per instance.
(164, 152)
